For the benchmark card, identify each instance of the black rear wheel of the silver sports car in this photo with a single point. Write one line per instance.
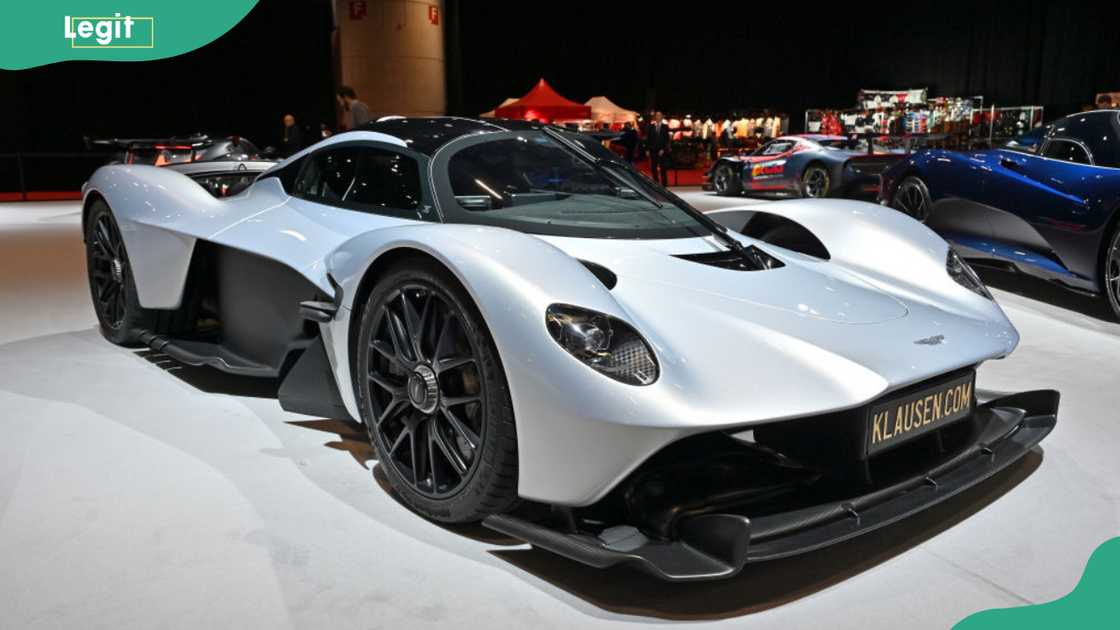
(113, 286)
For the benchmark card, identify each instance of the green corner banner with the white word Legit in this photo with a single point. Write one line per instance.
(122, 31)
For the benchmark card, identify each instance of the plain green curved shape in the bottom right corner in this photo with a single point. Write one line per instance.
(1095, 603)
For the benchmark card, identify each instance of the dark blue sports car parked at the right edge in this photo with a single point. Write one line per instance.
(1049, 211)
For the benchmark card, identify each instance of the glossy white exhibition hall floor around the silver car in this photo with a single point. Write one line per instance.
(137, 494)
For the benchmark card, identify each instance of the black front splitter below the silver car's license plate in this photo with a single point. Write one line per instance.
(706, 544)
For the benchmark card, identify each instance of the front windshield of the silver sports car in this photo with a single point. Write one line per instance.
(533, 183)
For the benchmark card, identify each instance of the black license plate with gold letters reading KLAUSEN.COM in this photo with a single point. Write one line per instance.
(906, 418)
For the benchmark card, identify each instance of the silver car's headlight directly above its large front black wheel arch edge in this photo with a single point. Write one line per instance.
(605, 344)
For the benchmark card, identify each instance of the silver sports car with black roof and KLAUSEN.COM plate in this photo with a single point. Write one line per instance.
(539, 338)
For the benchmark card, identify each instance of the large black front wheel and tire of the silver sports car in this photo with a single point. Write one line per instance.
(427, 307)
